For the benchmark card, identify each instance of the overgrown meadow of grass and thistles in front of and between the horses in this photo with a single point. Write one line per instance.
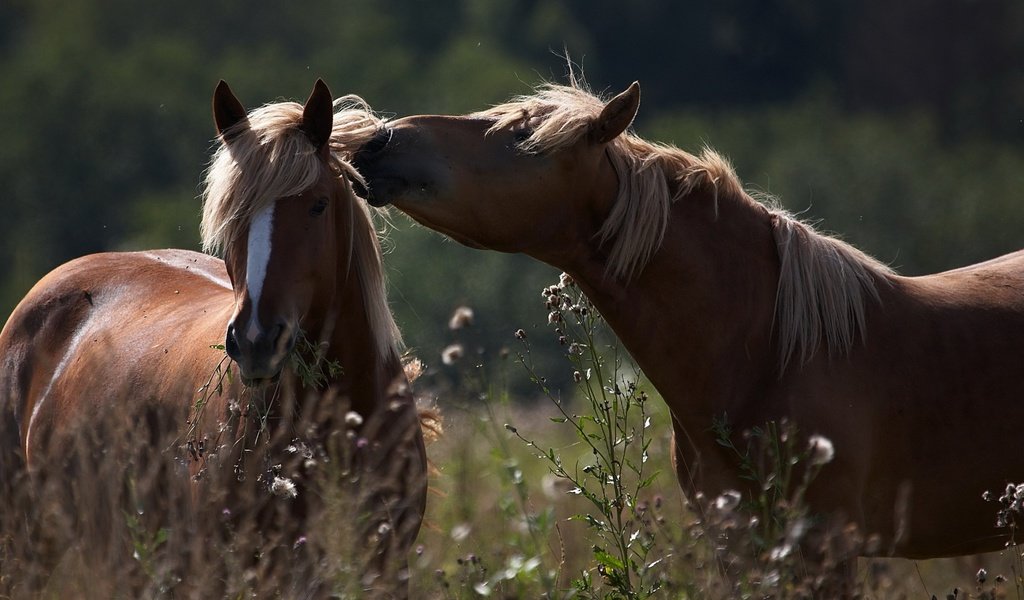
(563, 495)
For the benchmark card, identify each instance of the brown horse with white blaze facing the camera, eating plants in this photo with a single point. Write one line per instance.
(118, 334)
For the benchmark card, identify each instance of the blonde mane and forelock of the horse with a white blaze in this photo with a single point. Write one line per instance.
(270, 158)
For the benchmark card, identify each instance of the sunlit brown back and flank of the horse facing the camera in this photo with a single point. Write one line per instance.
(80, 330)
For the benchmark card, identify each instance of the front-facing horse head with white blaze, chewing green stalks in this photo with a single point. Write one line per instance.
(288, 206)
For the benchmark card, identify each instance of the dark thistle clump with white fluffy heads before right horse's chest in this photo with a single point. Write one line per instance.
(769, 541)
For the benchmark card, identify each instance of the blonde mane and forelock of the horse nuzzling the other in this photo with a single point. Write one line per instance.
(824, 283)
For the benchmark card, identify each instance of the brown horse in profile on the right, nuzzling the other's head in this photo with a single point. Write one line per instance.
(734, 308)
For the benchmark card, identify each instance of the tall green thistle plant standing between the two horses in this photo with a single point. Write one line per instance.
(614, 431)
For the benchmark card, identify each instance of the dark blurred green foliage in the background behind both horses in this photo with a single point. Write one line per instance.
(899, 125)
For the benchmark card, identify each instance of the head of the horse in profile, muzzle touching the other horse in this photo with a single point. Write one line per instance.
(524, 176)
